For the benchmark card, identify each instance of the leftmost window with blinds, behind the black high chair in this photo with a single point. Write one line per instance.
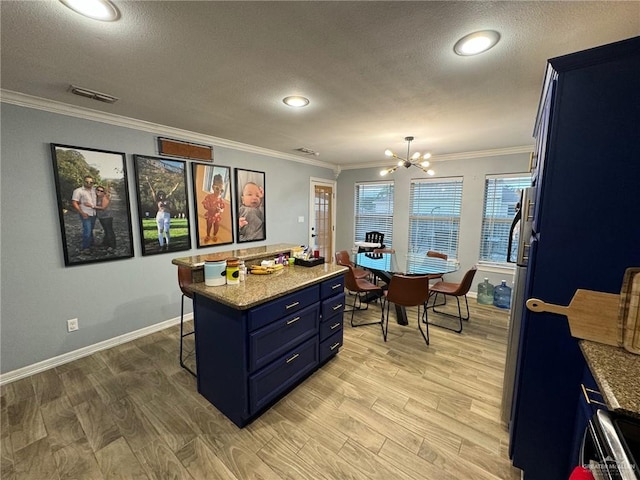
(374, 210)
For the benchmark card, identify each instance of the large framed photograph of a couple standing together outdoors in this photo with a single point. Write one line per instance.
(93, 204)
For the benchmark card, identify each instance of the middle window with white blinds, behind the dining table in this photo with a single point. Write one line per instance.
(434, 216)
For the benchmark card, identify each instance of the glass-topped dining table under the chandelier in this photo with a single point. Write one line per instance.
(385, 265)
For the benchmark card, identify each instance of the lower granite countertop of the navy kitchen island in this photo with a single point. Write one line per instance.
(257, 289)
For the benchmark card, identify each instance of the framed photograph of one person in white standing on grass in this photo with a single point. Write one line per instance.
(163, 211)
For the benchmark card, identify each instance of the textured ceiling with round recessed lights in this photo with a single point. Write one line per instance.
(375, 72)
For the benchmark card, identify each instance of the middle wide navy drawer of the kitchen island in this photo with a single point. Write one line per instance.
(276, 338)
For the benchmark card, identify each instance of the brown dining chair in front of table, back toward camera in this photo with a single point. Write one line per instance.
(407, 291)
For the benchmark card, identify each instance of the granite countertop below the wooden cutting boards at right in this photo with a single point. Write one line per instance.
(617, 373)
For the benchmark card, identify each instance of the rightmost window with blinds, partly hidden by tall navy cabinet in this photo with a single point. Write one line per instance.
(501, 194)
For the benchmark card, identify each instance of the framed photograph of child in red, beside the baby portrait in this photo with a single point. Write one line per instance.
(212, 198)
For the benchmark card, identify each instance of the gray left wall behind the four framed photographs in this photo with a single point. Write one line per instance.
(39, 294)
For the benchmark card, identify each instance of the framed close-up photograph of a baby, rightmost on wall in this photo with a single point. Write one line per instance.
(251, 222)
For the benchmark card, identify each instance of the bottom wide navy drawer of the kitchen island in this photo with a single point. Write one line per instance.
(283, 373)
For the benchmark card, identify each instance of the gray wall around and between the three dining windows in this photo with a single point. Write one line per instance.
(473, 172)
